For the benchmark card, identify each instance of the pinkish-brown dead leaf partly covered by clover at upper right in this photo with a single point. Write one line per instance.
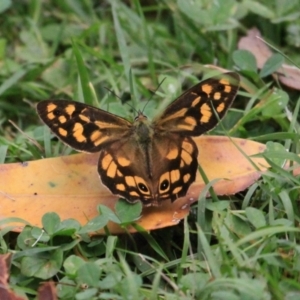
(287, 74)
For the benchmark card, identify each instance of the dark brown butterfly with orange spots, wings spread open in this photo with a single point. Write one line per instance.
(143, 160)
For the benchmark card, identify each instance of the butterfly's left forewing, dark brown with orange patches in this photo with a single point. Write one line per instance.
(83, 127)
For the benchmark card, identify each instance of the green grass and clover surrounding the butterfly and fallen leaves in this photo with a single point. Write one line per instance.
(247, 246)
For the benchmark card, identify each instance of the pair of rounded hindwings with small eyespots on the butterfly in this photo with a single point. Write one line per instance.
(151, 173)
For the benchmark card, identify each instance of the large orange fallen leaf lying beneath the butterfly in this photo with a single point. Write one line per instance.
(70, 185)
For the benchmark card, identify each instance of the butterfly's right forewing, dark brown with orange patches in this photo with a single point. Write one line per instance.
(199, 109)
